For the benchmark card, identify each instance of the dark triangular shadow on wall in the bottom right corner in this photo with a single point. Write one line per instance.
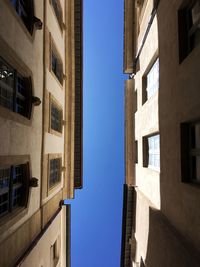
(166, 247)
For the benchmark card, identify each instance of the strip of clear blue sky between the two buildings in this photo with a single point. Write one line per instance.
(97, 208)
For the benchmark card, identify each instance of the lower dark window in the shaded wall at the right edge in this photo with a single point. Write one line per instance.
(190, 152)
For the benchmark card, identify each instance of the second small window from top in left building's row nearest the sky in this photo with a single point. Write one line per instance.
(56, 64)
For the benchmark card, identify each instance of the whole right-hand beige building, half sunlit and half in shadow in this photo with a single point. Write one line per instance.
(161, 216)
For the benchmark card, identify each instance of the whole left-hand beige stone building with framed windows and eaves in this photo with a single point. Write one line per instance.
(40, 129)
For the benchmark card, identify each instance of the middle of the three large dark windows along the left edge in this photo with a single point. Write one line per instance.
(15, 90)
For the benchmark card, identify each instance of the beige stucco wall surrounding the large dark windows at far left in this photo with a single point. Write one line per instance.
(25, 53)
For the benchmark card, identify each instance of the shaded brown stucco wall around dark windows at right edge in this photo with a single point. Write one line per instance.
(179, 101)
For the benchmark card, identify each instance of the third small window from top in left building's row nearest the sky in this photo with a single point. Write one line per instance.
(56, 117)
